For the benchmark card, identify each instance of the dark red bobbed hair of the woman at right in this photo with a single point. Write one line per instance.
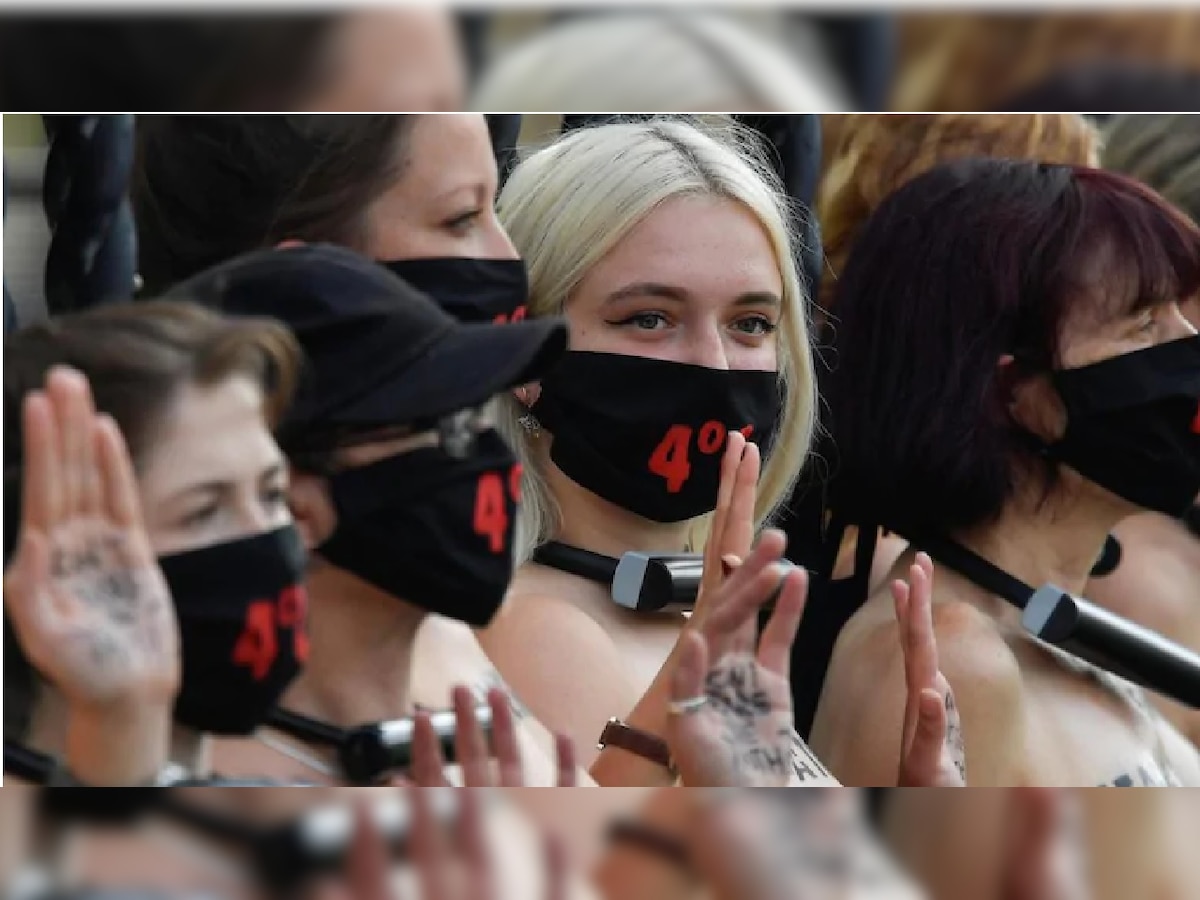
(973, 261)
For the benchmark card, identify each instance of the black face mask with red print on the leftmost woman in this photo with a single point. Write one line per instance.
(243, 621)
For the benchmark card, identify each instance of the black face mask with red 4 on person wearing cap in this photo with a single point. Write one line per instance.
(431, 530)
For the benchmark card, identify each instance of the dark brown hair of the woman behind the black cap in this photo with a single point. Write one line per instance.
(209, 188)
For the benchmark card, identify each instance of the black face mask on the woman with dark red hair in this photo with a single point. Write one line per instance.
(1133, 425)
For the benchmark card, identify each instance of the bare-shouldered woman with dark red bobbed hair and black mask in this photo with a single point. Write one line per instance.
(1013, 377)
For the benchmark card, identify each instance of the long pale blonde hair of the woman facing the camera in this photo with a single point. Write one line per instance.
(568, 206)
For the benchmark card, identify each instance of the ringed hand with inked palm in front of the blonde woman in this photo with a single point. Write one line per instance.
(731, 719)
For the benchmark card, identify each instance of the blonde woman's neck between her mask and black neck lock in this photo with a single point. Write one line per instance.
(591, 523)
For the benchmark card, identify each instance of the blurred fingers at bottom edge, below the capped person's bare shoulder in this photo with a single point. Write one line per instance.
(475, 757)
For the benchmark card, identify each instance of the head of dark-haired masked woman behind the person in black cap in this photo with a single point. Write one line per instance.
(416, 193)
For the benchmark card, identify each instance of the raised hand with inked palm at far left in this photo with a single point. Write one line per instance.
(87, 599)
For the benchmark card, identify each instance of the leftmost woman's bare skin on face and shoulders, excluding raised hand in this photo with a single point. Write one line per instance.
(195, 491)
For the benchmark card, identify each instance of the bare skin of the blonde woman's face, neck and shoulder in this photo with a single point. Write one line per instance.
(573, 656)
